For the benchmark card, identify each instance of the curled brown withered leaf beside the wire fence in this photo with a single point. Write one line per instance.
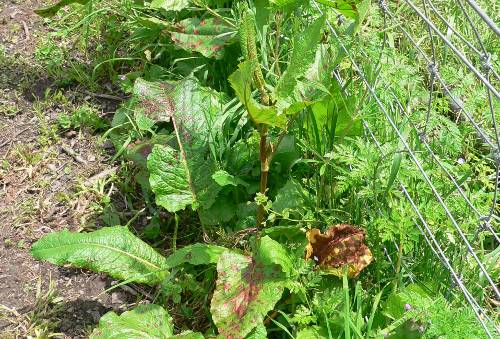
(340, 245)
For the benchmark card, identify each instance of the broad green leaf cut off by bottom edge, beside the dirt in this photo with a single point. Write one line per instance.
(144, 321)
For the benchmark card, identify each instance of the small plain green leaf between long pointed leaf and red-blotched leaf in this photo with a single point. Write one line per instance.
(196, 254)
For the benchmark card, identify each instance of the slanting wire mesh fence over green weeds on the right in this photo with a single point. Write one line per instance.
(439, 45)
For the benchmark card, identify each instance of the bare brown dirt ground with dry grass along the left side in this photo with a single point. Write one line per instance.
(41, 191)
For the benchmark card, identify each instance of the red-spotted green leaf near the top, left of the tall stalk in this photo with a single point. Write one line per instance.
(207, 36)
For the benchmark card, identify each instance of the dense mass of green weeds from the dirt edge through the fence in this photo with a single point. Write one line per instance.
(239, 145)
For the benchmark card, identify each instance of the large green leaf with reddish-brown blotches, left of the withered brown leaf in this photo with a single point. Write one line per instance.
(246, 290)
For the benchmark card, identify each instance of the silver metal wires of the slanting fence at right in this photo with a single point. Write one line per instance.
(463, 46)
